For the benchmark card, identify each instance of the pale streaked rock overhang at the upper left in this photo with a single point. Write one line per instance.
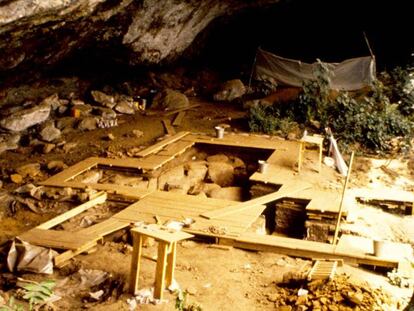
(37, 33)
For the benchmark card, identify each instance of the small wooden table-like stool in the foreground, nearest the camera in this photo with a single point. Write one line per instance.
(167, 252)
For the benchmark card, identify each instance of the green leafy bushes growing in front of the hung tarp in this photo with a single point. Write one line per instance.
(375, 119)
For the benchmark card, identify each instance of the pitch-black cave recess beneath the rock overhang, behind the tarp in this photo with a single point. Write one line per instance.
(305, 30)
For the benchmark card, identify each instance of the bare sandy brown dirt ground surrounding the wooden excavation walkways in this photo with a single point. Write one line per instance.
(217, 279)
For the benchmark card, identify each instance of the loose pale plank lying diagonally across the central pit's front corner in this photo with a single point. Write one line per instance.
(284, 191)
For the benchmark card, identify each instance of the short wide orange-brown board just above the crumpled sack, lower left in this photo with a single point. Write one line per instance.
(57, 239)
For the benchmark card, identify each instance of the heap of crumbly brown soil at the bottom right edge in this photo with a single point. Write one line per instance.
(335, 295)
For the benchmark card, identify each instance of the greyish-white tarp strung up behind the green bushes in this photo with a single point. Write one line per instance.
(351, 74)
